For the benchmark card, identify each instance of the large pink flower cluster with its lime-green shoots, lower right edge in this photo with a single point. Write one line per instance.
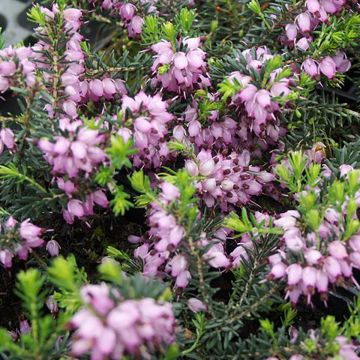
(326, 253)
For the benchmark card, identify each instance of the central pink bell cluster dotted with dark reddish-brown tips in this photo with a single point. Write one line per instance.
(227, 179)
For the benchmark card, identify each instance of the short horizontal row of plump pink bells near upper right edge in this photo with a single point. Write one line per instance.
(329, 66)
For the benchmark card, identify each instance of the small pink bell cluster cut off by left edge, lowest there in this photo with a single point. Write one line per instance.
(18, 239)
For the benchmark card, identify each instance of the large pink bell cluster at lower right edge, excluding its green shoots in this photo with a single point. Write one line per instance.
(311, 262)
